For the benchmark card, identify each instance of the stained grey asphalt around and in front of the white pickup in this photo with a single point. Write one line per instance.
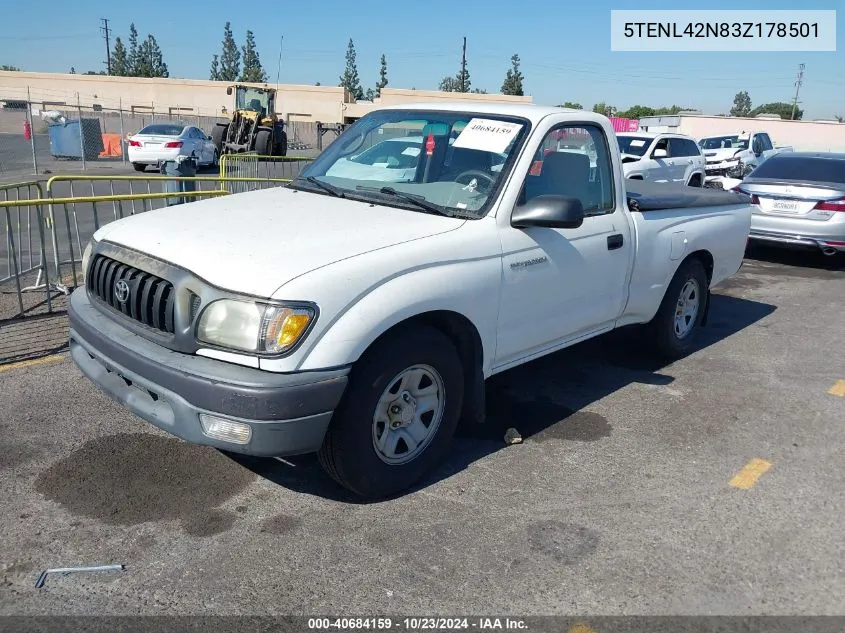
(635, 491)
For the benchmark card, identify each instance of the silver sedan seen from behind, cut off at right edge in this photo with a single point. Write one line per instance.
(799, 201)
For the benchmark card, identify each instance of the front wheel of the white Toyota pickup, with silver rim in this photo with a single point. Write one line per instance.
(349, 453)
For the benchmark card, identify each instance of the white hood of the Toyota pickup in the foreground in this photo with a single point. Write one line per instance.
(256, 242)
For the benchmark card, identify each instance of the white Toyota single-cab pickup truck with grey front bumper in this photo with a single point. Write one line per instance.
(360, 318)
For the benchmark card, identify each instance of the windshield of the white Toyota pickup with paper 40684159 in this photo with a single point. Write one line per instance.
(449, 161)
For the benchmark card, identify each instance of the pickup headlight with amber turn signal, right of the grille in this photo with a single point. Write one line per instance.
(252, 326)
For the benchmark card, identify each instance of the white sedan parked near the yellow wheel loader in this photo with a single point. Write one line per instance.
(168, 141)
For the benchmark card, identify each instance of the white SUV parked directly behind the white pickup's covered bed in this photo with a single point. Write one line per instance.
(661, 158)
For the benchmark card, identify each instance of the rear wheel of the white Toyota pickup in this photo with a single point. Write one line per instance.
(663, 330)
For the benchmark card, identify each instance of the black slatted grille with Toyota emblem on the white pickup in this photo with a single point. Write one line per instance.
(143, 297)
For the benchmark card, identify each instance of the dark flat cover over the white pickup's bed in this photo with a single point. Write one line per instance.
(648, 196)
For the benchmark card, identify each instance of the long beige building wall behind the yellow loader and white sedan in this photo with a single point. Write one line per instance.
(329, 104)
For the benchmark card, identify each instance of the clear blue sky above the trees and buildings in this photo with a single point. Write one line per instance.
(565, 51)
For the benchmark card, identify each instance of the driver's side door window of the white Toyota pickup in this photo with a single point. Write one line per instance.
(573, 161)
